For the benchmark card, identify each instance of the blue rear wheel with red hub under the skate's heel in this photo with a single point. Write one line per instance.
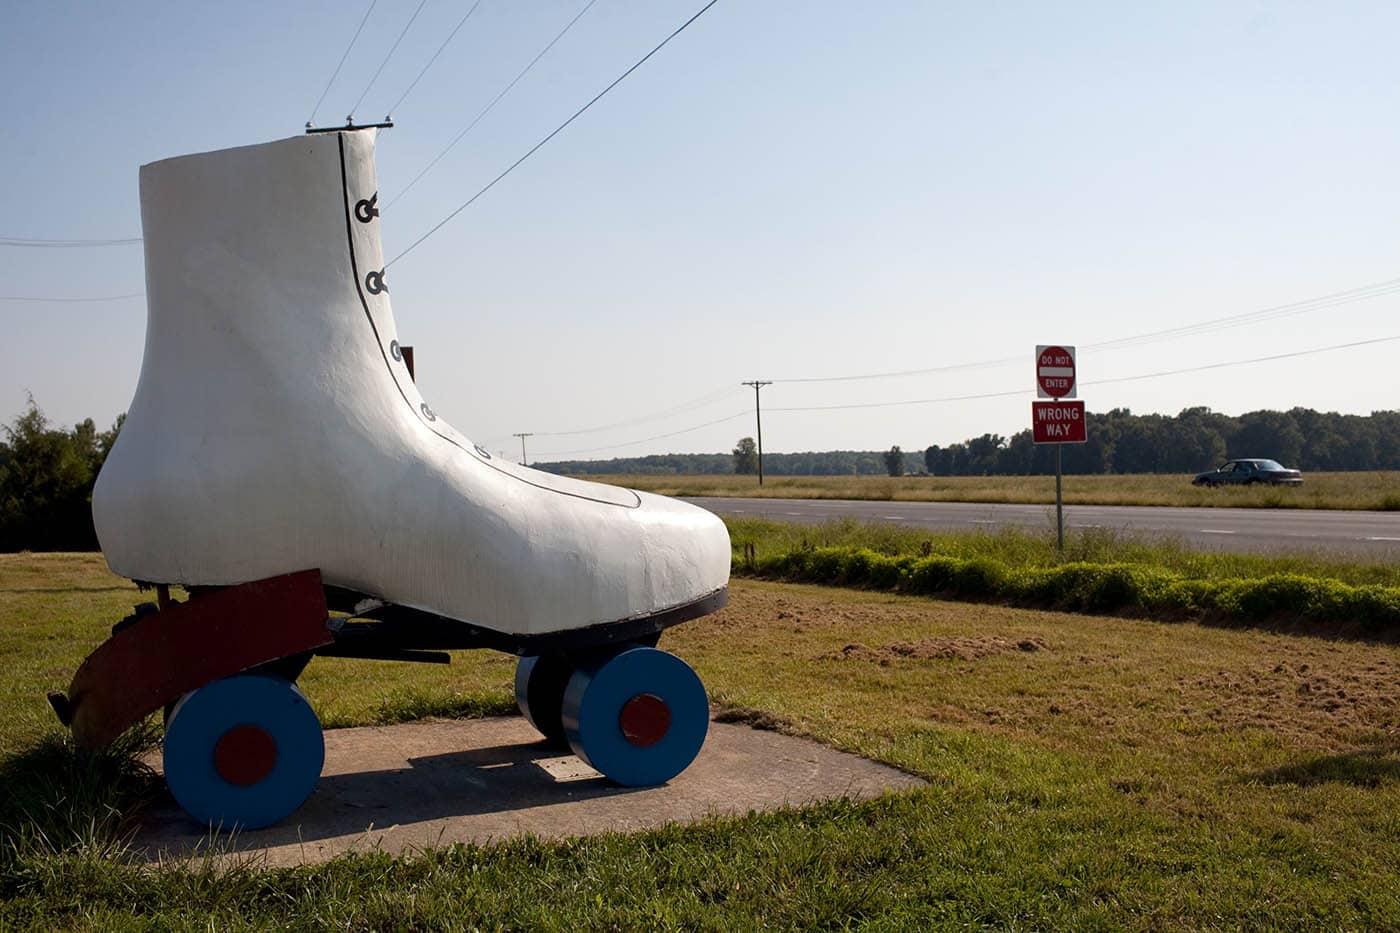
(244, 752)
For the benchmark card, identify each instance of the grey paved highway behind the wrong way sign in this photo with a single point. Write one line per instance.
(1367, 534)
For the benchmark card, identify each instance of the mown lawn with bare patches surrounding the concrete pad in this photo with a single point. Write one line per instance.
(1084, 773)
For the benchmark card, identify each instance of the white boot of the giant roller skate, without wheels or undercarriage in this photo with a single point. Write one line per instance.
(275, 427)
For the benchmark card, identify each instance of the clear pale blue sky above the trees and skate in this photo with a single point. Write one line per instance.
(787, 191)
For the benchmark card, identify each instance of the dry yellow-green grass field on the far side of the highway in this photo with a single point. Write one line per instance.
(1368, 491)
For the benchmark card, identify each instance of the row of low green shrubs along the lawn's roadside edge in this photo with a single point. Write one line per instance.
(1090, 588)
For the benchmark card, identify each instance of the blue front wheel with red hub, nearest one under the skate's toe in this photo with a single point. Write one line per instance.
(639, 718)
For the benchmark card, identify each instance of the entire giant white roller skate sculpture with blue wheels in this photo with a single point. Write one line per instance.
(278, 462)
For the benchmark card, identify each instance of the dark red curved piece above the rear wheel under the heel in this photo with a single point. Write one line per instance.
(169, 654)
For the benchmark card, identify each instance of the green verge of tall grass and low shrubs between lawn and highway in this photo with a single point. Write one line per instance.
(1100, 572)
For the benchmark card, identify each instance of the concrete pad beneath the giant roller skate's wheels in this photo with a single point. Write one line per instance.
(405, 788)
